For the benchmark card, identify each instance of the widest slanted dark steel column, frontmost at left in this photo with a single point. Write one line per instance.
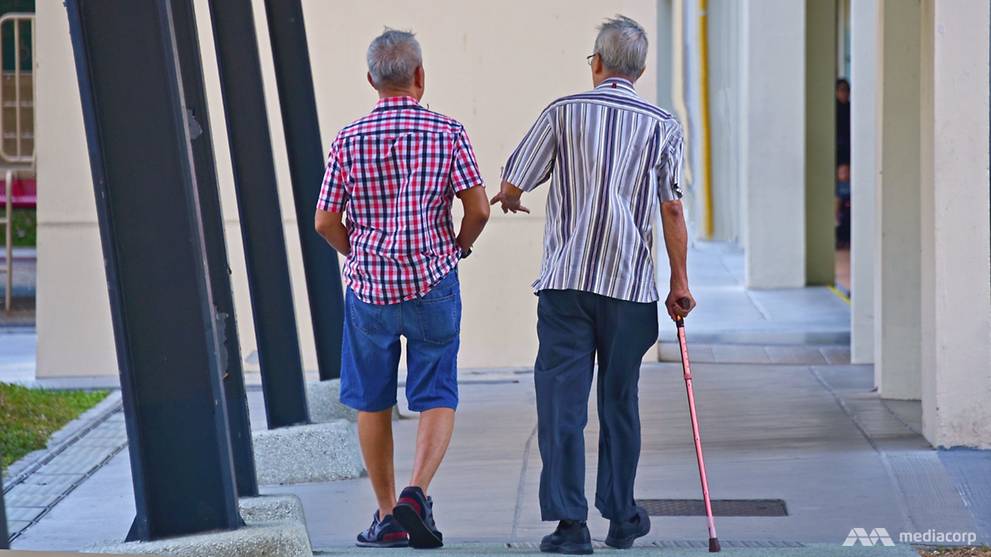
(152, 234)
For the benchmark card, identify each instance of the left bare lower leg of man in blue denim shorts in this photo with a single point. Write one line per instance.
(375, 435)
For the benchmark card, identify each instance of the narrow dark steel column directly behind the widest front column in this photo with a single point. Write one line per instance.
(218, 272)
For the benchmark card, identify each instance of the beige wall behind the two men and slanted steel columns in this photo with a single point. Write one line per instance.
(493, 65)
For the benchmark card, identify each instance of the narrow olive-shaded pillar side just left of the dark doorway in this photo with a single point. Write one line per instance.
(820, 141)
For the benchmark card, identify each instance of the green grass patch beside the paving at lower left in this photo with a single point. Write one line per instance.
(29, 416)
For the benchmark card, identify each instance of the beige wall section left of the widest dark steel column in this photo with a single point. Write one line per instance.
(75, 336)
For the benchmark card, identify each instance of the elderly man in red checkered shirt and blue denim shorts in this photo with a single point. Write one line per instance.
(395, 174)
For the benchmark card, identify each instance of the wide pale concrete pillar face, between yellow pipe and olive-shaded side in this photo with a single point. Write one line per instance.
(773, 146)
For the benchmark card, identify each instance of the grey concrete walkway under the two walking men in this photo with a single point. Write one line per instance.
(783, 417)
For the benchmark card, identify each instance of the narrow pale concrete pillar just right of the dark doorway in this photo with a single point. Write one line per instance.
(863, 168)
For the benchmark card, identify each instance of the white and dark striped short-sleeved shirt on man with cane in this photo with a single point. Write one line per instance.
(613, 158)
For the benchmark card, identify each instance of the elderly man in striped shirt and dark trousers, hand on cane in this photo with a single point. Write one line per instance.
(614, 159)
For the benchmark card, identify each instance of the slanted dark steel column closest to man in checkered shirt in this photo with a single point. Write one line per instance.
(306, 165)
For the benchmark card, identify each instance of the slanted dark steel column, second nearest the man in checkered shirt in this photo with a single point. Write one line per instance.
(261, 217)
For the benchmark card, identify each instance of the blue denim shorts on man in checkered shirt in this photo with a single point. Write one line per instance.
(371, 349)
